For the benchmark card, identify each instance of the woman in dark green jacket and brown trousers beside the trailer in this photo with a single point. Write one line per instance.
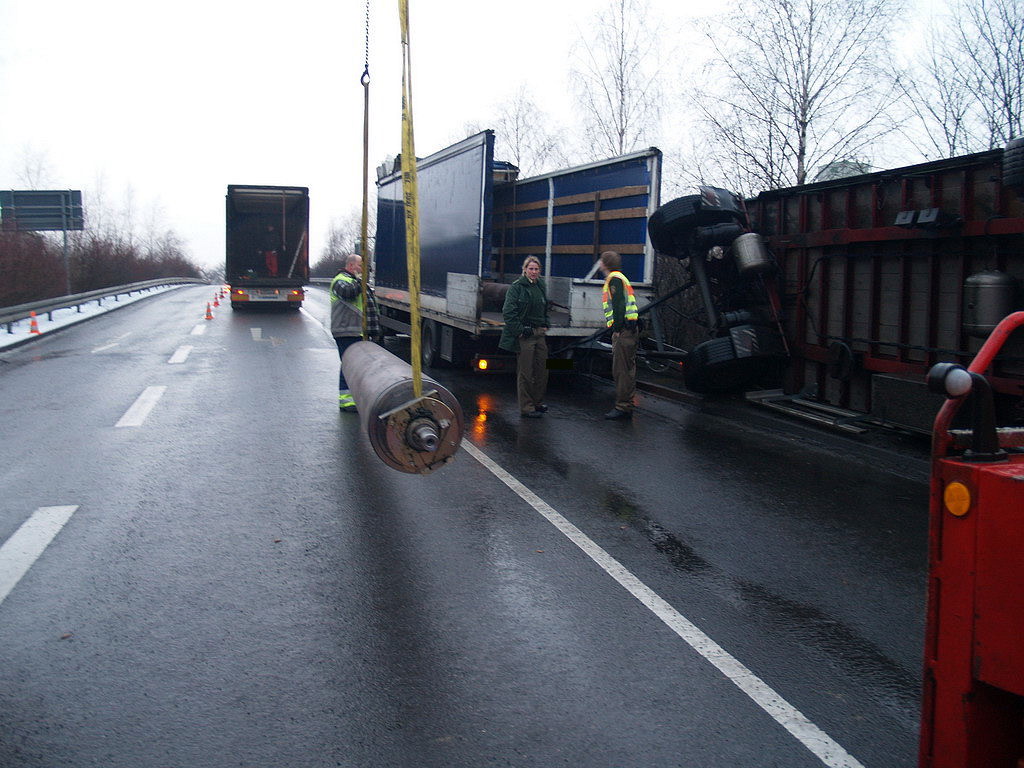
(526, 314)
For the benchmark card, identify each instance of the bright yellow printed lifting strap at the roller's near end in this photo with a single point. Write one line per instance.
(410, 197)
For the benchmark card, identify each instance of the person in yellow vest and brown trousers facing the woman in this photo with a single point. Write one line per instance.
(621, 316)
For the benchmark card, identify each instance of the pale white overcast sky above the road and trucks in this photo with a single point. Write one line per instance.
(167, 104)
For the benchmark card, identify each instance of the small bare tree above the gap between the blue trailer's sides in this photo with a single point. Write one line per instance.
(524, 138)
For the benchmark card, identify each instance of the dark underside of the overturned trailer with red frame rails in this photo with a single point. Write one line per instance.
(887, 274)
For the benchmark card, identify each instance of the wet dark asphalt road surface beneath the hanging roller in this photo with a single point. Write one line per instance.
(243, 583)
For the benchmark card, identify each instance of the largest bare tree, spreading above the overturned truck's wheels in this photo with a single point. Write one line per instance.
(797, 84)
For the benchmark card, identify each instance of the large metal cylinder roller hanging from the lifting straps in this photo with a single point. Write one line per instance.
(415, 436)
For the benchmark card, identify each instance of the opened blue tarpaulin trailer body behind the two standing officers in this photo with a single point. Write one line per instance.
(479, 223)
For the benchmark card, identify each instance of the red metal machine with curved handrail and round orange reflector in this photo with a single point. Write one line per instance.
(973, 708)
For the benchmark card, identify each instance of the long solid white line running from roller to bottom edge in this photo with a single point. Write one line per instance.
(816, 740)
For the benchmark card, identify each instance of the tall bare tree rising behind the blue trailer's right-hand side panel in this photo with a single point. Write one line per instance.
(616, 77)
